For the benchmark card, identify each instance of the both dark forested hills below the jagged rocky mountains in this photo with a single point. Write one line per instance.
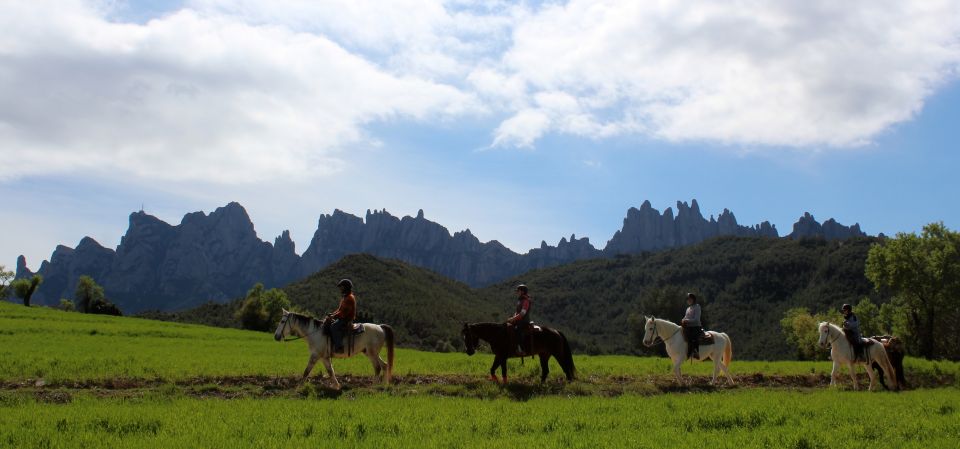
(746, 285)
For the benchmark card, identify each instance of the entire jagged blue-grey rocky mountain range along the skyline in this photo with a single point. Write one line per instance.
(219, 256)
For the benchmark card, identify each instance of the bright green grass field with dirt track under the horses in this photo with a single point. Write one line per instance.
(194, 386)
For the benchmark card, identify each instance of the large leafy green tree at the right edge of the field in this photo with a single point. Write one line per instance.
(923, 274)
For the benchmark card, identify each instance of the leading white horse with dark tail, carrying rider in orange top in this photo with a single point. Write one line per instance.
(369, 342)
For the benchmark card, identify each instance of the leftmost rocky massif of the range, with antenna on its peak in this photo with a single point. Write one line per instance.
(157, 265)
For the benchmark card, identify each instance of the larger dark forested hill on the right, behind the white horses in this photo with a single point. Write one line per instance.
(745, 284)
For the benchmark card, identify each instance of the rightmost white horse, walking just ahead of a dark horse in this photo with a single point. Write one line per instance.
(841, 352)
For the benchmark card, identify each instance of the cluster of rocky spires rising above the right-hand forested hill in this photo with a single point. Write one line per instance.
(645, 229)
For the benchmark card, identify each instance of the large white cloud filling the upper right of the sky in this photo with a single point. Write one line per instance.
(756, 73)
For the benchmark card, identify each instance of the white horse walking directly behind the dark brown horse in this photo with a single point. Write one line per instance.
(720, 350)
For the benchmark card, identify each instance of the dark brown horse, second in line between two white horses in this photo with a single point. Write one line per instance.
(544, 342)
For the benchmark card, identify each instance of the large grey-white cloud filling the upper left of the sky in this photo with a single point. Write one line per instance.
(190, 96)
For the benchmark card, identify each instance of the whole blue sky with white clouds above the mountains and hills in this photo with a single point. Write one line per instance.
(521, 121)
